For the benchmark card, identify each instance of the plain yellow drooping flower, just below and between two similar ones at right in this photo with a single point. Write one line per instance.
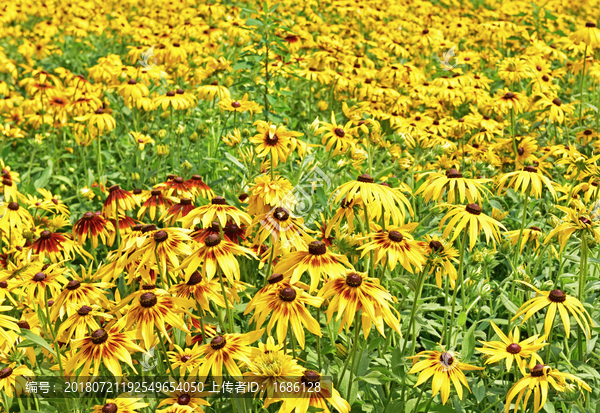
(471, 219)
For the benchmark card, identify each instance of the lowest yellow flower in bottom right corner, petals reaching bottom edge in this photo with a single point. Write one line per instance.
(538, 381)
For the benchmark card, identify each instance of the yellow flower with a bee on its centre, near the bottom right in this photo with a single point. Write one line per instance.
(445, 369)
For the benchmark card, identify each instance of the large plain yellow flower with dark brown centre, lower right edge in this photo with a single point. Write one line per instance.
(556, 300)
